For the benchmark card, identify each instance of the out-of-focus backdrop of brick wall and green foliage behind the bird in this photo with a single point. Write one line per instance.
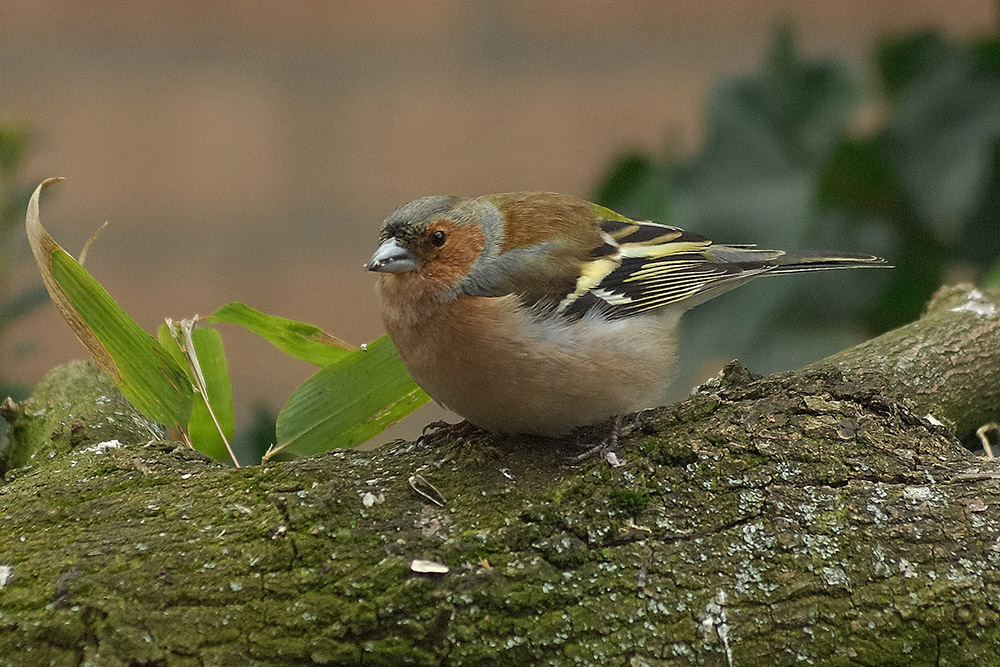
(248, 151)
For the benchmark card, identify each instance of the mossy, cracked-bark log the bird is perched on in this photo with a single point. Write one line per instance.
(814, 516)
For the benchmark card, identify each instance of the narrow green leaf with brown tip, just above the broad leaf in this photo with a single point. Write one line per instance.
(300, 340)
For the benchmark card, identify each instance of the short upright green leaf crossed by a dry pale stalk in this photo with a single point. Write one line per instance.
(209, 434)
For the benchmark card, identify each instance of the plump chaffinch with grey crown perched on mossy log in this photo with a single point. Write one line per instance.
(538, 312)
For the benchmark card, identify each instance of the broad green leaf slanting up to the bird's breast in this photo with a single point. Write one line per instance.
(348, 401)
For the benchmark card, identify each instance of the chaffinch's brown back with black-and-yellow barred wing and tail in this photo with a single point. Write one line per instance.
(622, 267)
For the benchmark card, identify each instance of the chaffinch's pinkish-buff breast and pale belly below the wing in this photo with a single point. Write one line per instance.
(542, 375)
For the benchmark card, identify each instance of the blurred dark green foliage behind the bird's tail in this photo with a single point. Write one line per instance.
(801, 155)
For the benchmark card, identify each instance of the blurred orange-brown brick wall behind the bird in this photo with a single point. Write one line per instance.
(249, 150)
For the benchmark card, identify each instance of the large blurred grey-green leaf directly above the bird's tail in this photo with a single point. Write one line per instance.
(767, 136)
